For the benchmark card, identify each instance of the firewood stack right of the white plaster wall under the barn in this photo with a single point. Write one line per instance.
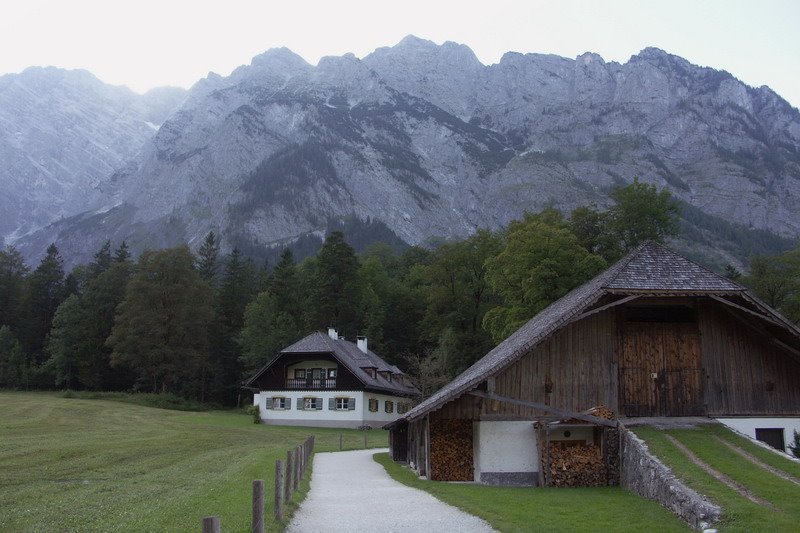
(575, 464)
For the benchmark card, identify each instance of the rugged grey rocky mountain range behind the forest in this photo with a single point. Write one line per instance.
(418, 141)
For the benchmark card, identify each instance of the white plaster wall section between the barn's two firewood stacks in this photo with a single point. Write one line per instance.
(505, 446)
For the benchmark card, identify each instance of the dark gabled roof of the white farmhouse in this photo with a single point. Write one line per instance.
(350, 356)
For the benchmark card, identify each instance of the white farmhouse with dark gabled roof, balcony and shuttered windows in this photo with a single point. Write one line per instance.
(326, 381)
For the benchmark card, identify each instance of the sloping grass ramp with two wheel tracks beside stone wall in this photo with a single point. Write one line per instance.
(740, 514)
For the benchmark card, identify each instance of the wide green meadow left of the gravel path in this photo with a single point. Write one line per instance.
(96, 465)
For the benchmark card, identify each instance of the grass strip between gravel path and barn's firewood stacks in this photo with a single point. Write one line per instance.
(546, 509)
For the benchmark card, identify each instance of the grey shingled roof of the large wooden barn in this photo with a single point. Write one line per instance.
(650, 268)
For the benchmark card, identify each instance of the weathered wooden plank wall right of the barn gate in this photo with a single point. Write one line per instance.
(746, 374)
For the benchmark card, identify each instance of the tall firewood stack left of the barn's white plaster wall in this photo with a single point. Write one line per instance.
(451, 450)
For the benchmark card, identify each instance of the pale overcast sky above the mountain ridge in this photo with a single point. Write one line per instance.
(147, 43)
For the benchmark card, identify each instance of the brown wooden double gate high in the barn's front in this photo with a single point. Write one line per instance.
(661, 370)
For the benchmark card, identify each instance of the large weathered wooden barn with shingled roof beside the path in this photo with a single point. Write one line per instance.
(655, 335)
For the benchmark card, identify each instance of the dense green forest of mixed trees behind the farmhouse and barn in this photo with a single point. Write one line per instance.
(197, 324)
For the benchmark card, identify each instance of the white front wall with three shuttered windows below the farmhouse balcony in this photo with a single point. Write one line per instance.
(348, 418)
